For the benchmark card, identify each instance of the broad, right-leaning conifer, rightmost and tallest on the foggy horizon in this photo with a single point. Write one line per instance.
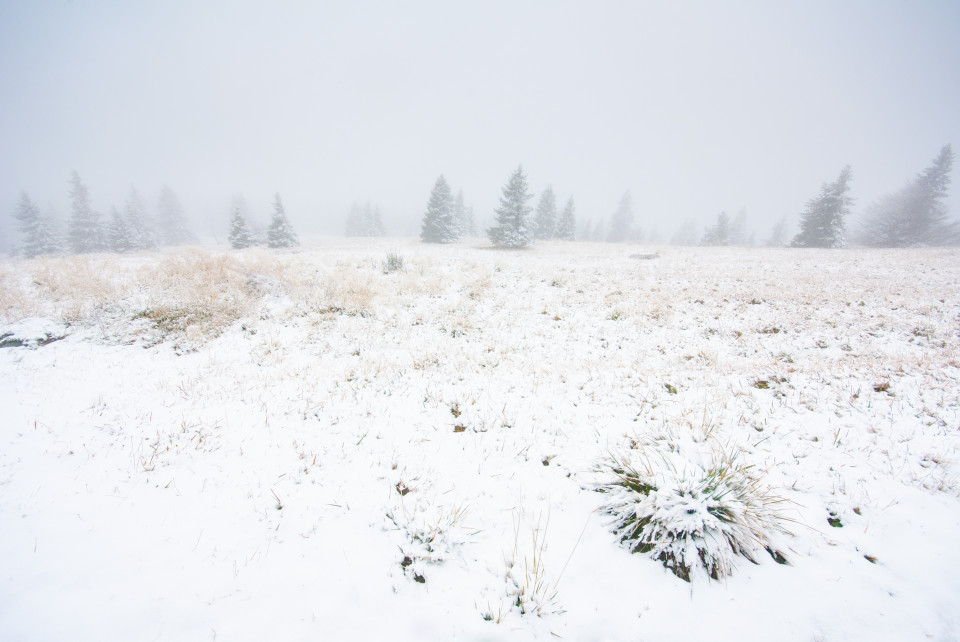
(915, 216)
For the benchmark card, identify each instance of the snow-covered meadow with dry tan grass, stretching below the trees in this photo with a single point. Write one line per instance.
(306, 445)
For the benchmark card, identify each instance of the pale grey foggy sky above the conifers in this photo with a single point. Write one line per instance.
(696, 107)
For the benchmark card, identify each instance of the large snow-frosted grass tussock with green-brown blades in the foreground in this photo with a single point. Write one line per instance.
(689, 516)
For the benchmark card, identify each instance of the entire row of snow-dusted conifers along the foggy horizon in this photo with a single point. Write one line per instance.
(916, 215)
